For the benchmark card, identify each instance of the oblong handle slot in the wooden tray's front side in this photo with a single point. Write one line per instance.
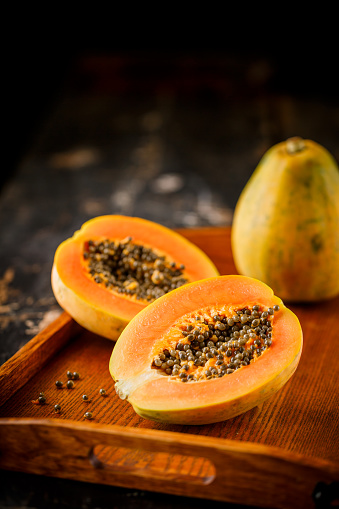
(154, 465)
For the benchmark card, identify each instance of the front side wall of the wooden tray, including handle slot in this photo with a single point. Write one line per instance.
(167, 462)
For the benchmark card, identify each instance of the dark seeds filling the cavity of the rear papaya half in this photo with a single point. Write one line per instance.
(132, 269)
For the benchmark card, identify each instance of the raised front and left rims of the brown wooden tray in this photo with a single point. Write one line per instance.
(250, 461)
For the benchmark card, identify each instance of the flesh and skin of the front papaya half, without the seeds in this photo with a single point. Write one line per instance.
(158, 397)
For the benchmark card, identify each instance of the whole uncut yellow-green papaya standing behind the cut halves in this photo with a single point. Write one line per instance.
(285, 228)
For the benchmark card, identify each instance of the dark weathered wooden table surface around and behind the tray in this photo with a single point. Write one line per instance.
(169, 137)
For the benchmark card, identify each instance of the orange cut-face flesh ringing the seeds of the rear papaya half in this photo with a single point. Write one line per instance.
(70, 275)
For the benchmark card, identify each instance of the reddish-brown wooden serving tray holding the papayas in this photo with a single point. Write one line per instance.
(283, 454)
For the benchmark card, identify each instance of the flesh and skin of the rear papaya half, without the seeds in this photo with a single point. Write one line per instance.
(104, 310)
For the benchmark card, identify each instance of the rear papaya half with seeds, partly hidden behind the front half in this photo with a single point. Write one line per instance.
(114, 266)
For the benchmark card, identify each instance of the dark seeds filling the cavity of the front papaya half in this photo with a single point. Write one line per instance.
(218, 346)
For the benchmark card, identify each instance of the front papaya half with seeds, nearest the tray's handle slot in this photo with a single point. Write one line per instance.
(207, 351)
